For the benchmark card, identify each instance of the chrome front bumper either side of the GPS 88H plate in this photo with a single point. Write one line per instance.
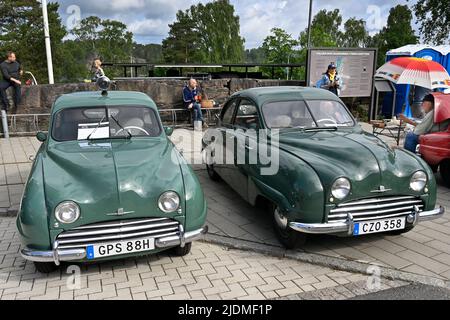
(66, 255)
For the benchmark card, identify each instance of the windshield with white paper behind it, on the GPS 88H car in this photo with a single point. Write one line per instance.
(116, 122)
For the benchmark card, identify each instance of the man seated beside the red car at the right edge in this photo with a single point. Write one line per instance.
(426, 126)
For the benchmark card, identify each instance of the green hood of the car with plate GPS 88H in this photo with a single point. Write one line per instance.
(103, 177)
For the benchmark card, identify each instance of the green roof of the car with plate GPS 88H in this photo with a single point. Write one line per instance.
(96, 99)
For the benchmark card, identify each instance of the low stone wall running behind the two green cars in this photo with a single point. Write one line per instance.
(167, 93)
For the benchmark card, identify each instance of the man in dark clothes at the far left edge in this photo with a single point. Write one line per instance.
(11, 71)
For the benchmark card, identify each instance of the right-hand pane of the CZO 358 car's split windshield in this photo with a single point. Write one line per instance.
(330, 113)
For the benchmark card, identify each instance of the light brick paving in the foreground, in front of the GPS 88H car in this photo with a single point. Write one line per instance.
(208, 272)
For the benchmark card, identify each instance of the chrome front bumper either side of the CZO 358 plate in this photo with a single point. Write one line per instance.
(348, 226)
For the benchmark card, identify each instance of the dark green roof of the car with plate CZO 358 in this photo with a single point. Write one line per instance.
(263, 95)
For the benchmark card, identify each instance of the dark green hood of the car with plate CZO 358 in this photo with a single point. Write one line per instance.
(366, 160)
